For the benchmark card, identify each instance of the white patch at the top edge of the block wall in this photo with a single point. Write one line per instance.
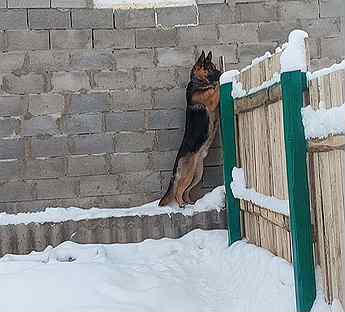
(135, 4)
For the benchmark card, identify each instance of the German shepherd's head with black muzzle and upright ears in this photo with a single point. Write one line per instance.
(204, 70)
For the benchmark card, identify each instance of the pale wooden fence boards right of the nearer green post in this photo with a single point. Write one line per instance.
(327, 177)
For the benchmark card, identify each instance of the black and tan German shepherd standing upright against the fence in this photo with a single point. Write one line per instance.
(202, 121)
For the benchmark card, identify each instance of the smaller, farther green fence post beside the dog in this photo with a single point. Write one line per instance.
(229, 151)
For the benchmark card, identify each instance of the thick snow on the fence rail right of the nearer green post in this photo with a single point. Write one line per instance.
(323, 122)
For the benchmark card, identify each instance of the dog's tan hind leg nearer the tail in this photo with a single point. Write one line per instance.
(187, 171)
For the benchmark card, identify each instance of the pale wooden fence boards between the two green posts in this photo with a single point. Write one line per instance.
(261, 153)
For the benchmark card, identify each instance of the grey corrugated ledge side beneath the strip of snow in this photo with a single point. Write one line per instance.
(22, 239)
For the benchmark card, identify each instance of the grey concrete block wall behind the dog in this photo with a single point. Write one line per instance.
(92, 100)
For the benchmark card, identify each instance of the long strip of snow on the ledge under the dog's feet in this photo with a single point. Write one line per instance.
(211, 201)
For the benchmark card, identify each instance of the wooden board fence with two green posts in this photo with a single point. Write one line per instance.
(270, 145)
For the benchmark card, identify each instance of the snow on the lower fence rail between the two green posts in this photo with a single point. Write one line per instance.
(240, 191)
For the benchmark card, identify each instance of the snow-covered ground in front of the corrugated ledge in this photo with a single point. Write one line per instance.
(193, 274)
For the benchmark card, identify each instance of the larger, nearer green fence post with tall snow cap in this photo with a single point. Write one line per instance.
(293, 86)
